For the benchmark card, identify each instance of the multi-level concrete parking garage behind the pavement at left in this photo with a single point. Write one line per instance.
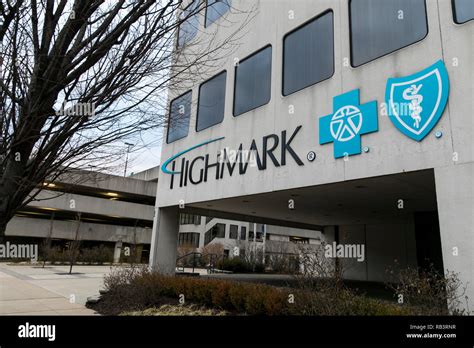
(113, 211)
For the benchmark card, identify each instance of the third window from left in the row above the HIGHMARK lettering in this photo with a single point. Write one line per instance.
(252, 85)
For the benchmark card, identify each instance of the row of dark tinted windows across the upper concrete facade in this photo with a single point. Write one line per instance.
(377, 28)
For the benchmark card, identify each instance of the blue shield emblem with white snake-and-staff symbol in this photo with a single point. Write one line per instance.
(415, 103)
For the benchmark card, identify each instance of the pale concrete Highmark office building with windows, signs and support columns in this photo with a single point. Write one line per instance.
(312, 90)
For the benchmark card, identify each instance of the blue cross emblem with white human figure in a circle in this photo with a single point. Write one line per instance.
(348, 122)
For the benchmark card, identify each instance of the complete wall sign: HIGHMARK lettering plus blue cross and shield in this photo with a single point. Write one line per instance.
(414, 104)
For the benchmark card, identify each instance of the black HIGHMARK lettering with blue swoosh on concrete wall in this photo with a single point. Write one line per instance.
(197, 170)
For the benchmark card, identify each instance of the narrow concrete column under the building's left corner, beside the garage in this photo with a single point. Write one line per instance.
(164, 240)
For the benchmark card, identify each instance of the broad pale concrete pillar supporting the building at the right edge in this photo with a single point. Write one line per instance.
(455, 196)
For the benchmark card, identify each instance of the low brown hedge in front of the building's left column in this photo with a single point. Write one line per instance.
(137, 289)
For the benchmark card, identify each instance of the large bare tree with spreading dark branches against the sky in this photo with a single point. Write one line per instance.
(81, 77)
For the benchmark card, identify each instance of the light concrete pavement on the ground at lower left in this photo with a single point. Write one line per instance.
(33, 290)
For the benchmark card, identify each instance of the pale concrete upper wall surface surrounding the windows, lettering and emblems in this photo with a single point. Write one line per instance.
(390, 150)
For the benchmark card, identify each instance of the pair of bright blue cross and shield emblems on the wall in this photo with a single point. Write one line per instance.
(414, 104)
